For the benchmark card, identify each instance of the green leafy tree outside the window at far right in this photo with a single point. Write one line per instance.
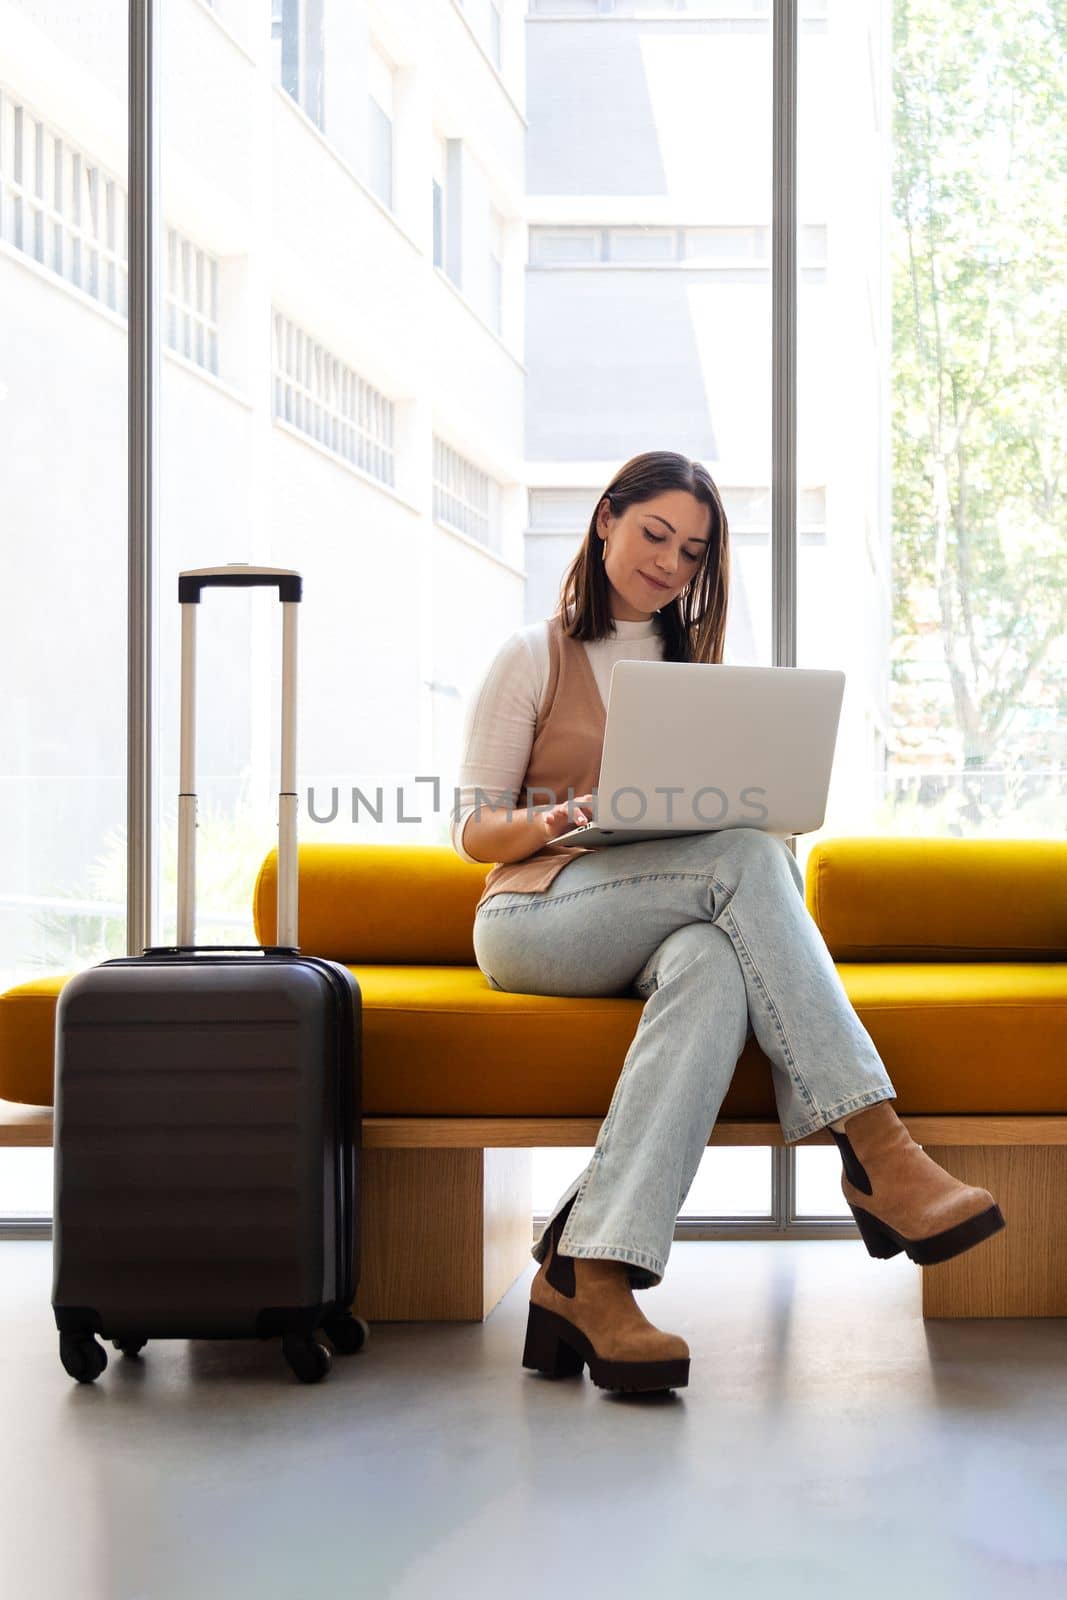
(980, 329)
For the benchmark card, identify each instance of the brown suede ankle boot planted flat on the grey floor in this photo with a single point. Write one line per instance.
(583, 1311)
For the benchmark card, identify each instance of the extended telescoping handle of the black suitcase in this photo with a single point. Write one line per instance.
(190, 588)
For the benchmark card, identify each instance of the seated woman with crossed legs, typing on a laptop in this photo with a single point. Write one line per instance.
(709, 929)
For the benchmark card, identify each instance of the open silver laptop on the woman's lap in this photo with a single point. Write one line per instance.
(692, 748)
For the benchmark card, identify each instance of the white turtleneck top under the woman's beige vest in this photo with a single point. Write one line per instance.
(503, 710)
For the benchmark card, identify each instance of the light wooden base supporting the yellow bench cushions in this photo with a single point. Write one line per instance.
(447, 1209)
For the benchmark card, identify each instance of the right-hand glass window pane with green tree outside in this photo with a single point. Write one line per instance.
(941, 585)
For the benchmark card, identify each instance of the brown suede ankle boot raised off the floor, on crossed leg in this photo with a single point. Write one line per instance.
(901, 1199)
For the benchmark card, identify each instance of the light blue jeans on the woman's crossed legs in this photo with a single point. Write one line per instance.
(713, 930)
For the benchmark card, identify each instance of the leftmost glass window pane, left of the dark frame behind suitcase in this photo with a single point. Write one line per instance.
(63, 529)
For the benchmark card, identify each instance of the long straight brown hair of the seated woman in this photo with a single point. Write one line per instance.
(693, 625)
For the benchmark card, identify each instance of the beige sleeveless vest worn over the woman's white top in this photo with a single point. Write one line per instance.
(565, 754)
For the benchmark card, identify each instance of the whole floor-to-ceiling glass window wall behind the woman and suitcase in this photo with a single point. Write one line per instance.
(330, 404)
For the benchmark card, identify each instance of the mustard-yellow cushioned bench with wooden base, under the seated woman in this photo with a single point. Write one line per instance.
(954, 954)
